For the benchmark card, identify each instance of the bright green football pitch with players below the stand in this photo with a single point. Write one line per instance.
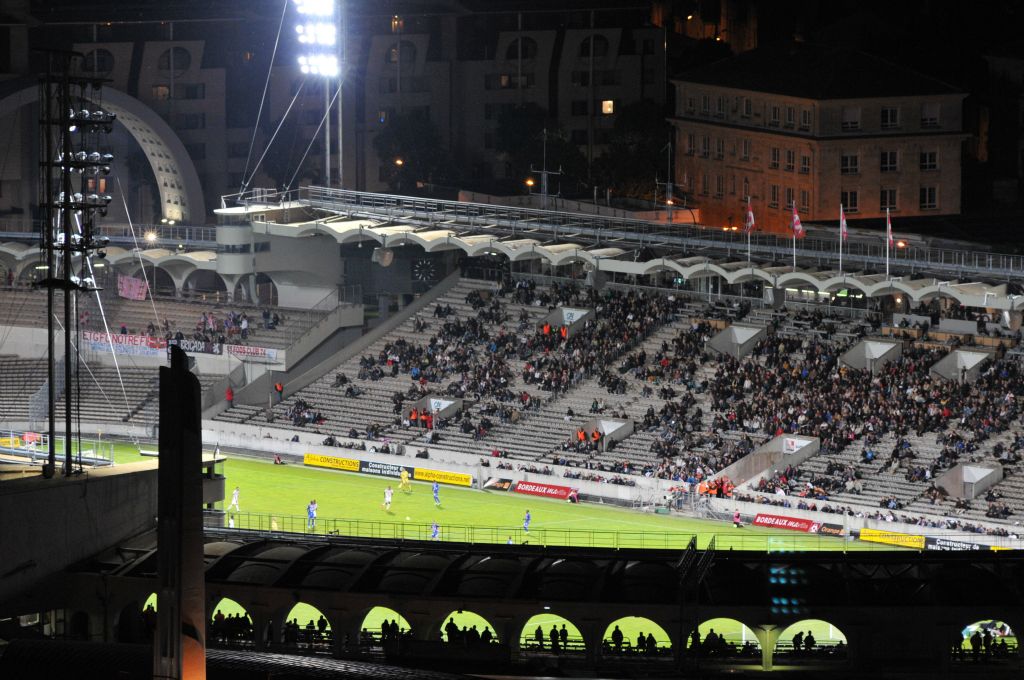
(276, 497)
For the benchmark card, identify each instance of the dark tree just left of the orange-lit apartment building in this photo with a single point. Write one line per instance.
(637, 151)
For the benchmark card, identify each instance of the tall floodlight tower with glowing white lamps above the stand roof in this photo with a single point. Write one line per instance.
(318, 31)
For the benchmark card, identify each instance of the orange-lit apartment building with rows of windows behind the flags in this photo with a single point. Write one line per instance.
(816, 127)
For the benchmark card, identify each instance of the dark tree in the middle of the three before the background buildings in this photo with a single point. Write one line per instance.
(521, 138)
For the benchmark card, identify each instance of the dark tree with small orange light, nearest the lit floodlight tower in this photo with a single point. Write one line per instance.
(410, 150)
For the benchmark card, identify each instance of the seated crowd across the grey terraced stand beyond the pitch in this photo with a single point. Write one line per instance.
(698, 412)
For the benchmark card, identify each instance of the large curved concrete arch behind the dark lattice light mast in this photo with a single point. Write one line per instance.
(178, 182)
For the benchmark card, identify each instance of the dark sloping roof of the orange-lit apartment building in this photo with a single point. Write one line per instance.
(817, 72)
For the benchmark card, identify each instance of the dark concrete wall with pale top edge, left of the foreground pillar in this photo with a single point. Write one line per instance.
(116, 504)
